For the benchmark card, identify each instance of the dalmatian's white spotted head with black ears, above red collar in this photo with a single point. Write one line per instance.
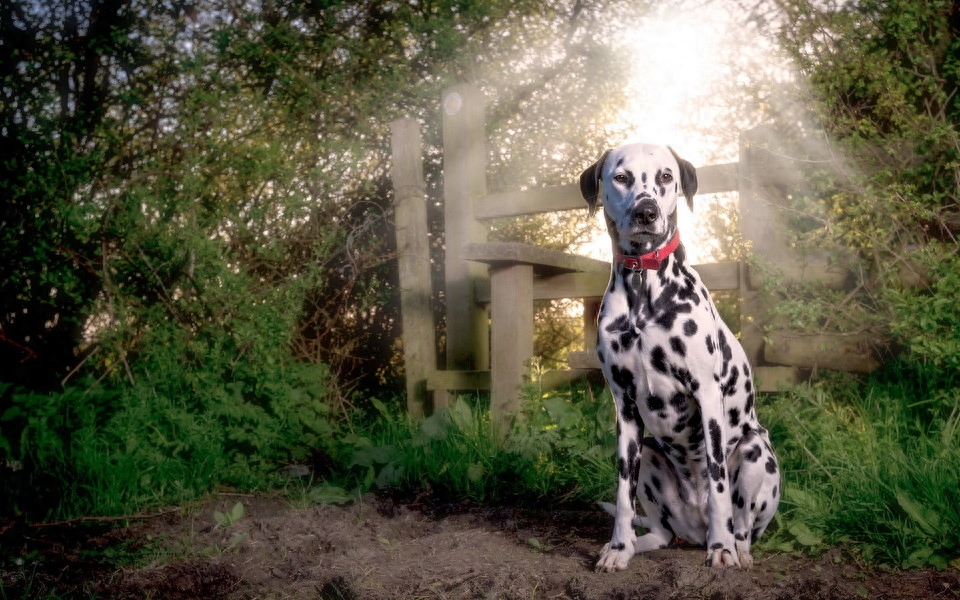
(639, 186)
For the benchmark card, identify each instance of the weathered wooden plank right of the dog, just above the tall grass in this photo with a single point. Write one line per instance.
(856, 352)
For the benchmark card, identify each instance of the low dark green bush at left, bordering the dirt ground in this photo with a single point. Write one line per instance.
(203, 405)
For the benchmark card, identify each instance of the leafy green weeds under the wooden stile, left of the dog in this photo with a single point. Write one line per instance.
(560, 448)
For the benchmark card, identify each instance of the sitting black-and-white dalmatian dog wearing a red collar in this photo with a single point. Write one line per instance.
(706, 473)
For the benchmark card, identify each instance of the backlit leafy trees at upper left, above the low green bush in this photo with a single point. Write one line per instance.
(142, 143)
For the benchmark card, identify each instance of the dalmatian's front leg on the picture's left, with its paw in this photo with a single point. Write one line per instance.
(615, 555)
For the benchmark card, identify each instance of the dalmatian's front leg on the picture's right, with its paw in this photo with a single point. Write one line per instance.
(720, 538)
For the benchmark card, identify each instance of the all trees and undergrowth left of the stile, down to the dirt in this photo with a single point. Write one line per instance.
(197, 216)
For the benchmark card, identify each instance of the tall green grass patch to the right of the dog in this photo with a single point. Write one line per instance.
(869, 467)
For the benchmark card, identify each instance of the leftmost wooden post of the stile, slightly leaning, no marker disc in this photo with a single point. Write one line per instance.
(413, 250)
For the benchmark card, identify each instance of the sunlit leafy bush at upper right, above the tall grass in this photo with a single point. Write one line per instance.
(880, 81)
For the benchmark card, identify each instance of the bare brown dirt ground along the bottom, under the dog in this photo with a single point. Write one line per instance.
(378, 548)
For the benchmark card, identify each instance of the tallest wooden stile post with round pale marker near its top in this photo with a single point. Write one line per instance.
(464, 182)
